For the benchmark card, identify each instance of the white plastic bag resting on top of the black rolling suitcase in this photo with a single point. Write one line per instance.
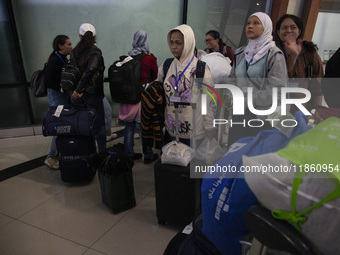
(177, 153)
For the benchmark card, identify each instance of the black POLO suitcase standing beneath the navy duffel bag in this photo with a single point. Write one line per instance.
(75, 158)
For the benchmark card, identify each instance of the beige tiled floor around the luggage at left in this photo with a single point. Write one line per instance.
(39, 214)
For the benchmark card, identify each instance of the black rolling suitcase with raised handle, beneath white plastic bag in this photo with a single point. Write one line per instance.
(178, 197)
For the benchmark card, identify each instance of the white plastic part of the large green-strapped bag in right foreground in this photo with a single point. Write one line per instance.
(274, 190)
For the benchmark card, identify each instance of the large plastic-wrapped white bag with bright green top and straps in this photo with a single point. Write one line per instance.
(305, 188)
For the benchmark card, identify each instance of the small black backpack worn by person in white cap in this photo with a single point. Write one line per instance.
(70, 75)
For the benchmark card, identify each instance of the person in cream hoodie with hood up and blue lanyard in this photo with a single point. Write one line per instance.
(179, 84)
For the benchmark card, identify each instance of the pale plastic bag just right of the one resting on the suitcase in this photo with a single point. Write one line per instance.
(209, 151)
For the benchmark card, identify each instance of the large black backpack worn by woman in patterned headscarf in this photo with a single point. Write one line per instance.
(125, 79)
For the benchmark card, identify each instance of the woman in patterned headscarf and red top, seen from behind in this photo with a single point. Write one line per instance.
(131, 113)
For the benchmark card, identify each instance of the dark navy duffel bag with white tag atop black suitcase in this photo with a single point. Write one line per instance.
(71, 120)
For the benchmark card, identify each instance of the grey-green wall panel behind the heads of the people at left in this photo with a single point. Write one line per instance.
(116, 21)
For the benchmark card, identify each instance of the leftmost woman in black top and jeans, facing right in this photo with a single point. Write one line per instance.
(62, 47)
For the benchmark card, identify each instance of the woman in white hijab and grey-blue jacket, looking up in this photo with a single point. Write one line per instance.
(260, 65)
